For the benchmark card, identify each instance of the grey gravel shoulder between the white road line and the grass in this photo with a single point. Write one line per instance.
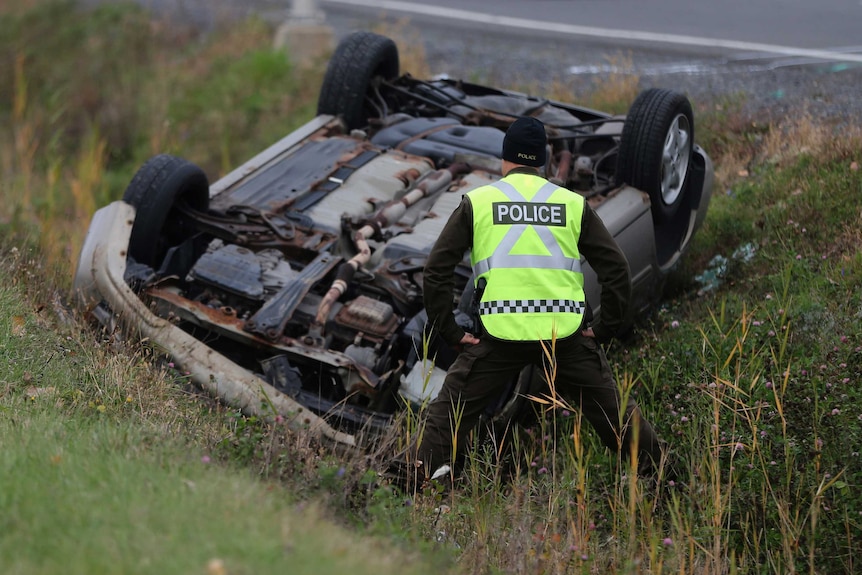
(765, 87)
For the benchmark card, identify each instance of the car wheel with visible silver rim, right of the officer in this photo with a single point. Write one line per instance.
(656, 148)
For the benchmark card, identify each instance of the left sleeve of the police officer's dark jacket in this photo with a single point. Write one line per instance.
(439, 283)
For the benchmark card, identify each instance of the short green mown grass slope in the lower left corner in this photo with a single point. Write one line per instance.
(90, 485)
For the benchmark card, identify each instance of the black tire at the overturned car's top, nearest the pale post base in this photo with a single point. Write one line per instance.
(358, 59)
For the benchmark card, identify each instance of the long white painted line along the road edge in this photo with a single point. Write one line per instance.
(591, 31)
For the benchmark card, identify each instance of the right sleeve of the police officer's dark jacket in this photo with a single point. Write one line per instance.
(612, 270)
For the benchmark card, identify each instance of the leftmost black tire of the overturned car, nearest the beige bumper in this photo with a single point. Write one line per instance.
(154, 191)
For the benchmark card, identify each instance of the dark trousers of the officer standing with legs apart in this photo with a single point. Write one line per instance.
(583, 379)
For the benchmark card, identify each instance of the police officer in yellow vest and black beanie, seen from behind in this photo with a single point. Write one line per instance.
(526, 237)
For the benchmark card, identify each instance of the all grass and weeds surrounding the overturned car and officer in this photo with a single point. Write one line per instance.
(750, 368)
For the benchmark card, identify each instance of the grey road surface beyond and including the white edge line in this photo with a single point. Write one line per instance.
(826, 28)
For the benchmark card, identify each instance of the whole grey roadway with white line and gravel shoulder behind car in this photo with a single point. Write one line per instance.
(779, 57)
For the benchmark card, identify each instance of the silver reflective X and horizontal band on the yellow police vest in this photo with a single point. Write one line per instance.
(501, 259)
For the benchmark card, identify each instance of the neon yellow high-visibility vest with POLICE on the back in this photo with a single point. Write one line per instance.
(525, 252)
